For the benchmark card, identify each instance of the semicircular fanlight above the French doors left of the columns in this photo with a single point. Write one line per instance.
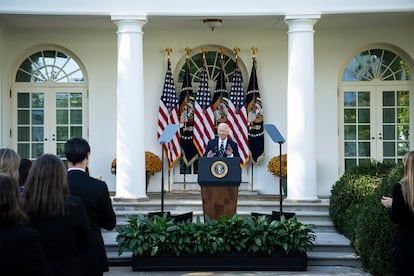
(49, 65)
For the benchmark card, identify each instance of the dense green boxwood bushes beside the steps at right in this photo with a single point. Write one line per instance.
(356, 211)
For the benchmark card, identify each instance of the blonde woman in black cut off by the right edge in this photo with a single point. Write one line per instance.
(402, 213)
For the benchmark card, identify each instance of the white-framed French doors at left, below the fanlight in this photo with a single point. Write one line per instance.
(44, 118)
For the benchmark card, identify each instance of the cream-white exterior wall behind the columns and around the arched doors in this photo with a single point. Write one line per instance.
(97, 51)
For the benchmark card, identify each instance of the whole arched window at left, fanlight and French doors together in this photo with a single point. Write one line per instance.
(49, 99)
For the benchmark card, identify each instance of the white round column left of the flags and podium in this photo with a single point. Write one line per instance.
(130, 145)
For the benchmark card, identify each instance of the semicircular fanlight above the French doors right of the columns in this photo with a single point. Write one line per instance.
(376, 64)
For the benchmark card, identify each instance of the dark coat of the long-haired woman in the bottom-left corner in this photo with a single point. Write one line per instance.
(21, 252)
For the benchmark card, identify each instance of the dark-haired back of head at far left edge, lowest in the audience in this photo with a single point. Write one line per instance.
(10, 210)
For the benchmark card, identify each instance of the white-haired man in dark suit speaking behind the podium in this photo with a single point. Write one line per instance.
(222, 146)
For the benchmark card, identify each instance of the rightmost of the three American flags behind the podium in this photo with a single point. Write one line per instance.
(237, 116)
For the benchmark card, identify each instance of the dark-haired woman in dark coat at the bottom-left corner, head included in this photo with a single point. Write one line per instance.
(21, 252)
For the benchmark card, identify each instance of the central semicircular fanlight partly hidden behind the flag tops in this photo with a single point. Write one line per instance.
(213, 59)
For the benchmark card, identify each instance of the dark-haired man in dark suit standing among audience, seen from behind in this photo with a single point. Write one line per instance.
(95, 197)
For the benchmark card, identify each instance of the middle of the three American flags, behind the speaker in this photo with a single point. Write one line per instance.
(203, 114)
